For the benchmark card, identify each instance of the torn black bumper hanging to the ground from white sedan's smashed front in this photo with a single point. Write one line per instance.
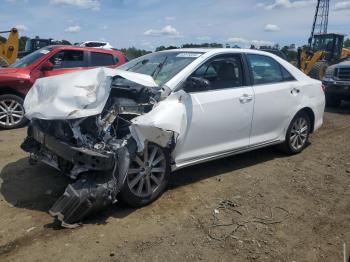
(92, 192)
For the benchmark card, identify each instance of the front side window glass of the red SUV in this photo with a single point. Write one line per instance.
(68, 59)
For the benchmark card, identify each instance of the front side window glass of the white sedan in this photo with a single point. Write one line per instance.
(224, 71)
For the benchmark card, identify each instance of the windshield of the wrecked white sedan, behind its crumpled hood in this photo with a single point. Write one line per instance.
(161, 66)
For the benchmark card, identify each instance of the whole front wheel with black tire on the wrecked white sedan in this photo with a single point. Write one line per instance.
(142, 186)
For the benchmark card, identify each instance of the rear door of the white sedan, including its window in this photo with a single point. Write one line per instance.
(277, 96)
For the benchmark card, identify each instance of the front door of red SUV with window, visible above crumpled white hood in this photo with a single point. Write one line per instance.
(67, 61)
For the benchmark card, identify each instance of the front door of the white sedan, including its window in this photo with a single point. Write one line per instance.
(220, 118)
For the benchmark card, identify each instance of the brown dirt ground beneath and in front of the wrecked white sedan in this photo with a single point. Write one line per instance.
(259, 206)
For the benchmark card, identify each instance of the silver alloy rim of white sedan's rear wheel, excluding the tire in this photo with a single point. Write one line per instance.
(299, 133)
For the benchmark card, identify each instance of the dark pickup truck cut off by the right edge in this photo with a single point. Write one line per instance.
(337, 83)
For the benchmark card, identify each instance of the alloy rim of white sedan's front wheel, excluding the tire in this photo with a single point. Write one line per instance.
(147, 171)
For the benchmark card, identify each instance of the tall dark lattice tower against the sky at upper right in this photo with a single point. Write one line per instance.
(320, 24)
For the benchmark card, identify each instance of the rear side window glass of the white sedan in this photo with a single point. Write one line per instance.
(266, 70)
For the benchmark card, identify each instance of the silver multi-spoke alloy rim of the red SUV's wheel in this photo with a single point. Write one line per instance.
(11, 112)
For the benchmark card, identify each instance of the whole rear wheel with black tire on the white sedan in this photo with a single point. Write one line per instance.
(297, 134)
